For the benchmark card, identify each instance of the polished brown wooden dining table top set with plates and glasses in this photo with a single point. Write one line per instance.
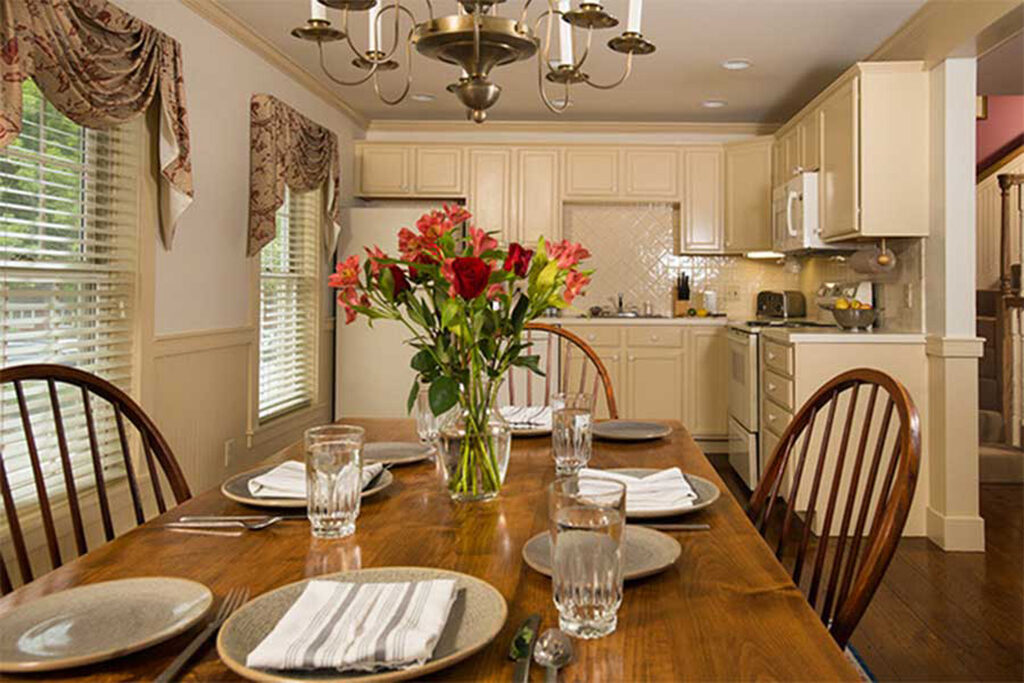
(726, 611)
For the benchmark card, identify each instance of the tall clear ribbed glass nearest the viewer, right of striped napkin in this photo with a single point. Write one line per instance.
(587, 519)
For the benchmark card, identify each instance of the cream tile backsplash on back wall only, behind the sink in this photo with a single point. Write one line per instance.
(633, 247)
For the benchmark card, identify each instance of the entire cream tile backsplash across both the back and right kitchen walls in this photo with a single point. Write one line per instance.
(633, 247)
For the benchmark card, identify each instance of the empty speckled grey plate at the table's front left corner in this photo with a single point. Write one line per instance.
(99, 622)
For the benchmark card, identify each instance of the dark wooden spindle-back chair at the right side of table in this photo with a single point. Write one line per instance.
(858, 561)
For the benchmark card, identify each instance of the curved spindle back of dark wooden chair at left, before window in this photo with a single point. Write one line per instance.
(86, 413)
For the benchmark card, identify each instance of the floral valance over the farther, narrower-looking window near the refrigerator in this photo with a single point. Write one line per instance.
(287, 149)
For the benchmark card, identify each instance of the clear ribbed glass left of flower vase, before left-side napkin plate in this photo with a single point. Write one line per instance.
(334, 480)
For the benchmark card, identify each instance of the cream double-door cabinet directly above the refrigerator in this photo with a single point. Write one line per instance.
(402, 170)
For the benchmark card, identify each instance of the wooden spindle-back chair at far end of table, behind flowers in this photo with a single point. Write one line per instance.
(581, 371)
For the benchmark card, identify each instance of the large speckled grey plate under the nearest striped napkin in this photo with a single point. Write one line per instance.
(475, 622)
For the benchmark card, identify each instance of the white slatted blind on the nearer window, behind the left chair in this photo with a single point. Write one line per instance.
(68, 268)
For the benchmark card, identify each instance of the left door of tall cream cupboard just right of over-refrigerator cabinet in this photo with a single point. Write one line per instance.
(491, 190)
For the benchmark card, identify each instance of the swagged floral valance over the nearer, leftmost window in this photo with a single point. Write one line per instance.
(101, 67)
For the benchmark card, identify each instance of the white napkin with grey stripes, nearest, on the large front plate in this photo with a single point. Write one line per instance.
(359, 627)
